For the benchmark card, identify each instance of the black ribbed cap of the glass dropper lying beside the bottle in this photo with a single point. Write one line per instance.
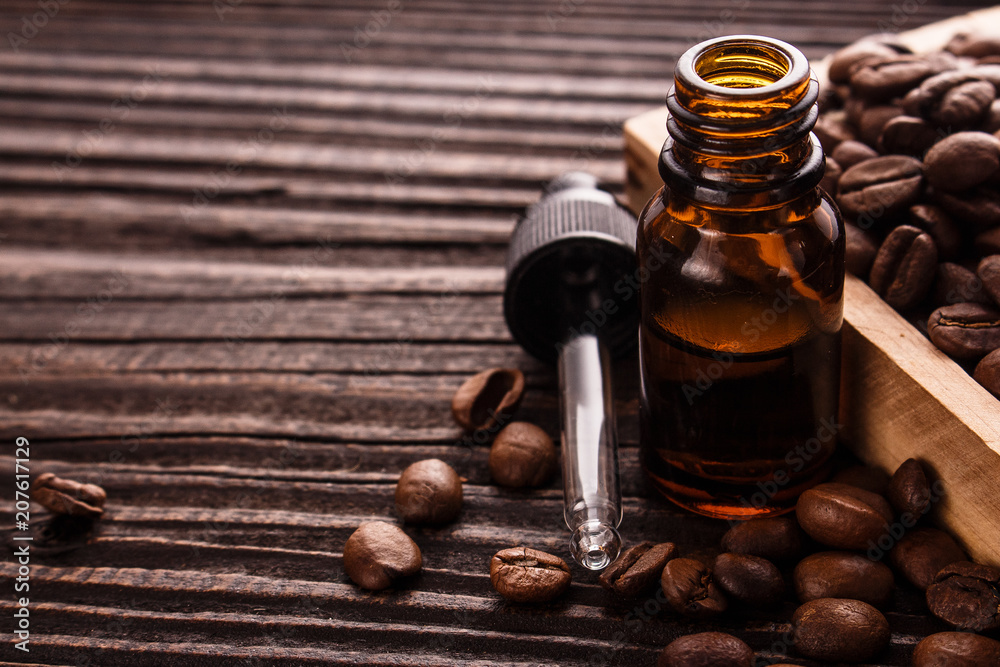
(566, 257)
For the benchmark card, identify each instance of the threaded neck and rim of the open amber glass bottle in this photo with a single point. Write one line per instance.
(741, 114)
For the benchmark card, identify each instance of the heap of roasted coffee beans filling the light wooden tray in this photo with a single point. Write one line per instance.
(913, 161)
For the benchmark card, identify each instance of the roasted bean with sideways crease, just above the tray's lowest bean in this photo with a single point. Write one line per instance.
(965, 331)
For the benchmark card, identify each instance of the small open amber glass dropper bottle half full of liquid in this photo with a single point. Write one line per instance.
(743, 305)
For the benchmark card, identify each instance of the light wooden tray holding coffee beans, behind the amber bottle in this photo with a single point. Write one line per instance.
(900, 396)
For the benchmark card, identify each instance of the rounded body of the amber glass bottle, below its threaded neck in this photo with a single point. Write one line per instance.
(740, 363)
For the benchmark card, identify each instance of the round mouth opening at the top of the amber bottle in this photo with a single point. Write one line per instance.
(739, 64)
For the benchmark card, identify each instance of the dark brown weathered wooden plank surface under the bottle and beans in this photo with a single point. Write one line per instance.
(244, 262)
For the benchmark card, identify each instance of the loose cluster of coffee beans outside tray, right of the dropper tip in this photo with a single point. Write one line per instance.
(864, 529)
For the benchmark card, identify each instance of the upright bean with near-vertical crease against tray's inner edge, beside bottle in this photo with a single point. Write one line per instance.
(904, 267)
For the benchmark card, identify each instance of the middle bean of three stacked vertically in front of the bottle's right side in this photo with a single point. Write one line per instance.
(843, 574)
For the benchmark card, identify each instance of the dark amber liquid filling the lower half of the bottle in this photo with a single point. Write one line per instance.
(734, 435)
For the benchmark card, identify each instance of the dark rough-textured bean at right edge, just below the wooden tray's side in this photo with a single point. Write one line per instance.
(965, 595)
